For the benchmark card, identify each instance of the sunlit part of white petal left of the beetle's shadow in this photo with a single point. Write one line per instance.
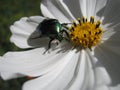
(23, 29)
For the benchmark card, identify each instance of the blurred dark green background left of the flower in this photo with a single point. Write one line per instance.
(10, 11)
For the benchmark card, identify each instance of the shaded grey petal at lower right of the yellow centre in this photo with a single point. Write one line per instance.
(109, 57)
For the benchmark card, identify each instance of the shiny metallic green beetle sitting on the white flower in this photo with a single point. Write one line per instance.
(53, 29)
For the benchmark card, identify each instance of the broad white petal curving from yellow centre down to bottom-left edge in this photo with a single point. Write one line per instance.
(58, 78)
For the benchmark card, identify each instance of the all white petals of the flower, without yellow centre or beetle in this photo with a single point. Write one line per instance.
(65, 68)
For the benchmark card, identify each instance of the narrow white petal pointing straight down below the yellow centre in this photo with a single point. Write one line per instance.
(84, 77)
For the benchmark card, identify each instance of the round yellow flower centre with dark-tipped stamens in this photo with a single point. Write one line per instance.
(85, 34)
